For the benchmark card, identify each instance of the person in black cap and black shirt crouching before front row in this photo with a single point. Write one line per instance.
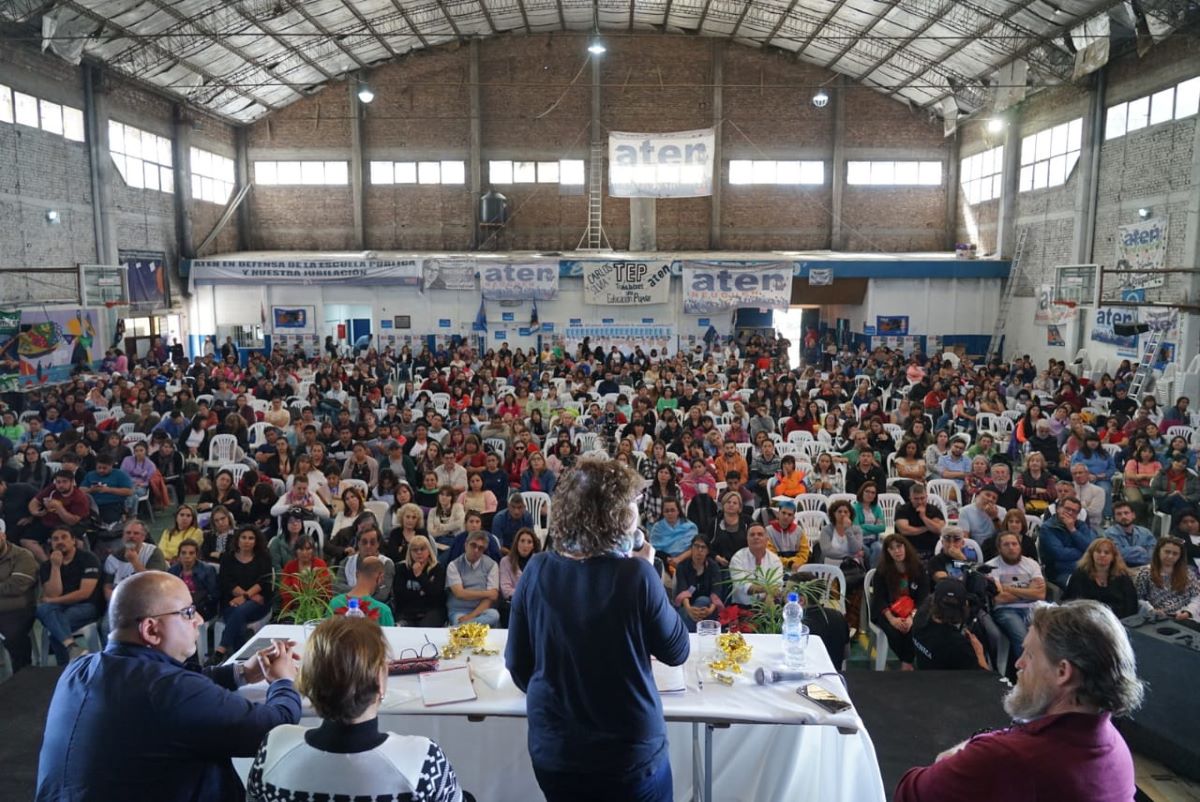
(940, 635)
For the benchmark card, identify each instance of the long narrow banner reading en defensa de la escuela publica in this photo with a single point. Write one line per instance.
(307, 272)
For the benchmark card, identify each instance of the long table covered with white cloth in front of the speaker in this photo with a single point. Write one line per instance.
(727, 743)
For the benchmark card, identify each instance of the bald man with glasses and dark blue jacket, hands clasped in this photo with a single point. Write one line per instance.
(178, 728)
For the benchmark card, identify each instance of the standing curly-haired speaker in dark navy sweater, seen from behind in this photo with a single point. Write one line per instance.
(596, 720)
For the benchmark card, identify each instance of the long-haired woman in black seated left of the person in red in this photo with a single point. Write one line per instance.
(247, 586)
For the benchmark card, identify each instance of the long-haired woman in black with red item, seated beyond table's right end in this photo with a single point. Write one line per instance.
(898, 576)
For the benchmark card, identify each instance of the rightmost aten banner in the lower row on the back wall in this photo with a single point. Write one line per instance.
(710, 288)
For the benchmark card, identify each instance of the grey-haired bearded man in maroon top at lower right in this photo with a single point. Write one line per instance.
(1078, 671)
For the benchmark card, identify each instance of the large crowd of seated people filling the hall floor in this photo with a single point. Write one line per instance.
(418, 483)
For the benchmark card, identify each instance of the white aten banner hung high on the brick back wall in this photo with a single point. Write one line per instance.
(676, 165)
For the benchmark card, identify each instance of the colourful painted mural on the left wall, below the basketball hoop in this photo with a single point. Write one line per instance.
(51, 343)
